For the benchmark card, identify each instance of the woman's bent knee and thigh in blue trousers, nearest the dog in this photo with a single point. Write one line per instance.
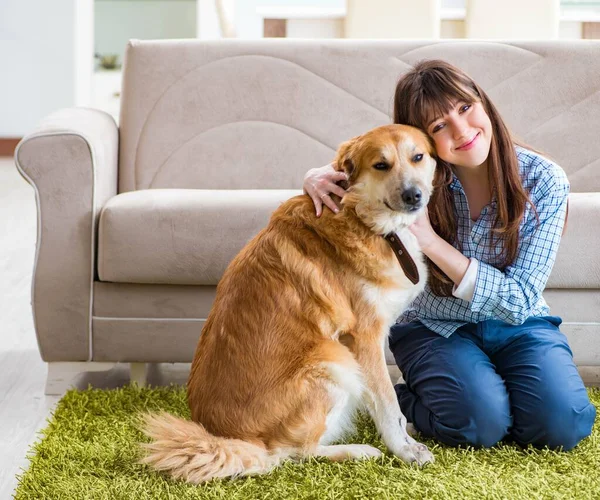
(454, 392)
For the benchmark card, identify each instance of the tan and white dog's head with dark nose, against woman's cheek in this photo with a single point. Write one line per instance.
(390, 171)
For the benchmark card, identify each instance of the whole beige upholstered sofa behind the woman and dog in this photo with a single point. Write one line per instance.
(136, 224)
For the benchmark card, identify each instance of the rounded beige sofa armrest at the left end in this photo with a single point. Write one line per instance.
(71, 161)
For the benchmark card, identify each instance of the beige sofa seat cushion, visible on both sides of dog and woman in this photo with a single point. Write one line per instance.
(189, 236)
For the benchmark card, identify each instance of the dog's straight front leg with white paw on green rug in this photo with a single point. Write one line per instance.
(383, 404)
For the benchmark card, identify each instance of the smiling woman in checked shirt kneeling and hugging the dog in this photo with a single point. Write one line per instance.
(481, 357)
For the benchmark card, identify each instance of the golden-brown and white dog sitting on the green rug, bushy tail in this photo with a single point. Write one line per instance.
(294, 342)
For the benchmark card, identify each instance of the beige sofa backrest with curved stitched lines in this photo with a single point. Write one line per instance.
(258, 114)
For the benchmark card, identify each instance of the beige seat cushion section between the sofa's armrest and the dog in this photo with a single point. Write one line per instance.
(180, 236)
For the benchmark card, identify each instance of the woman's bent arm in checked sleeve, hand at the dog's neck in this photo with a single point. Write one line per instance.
(508, 295)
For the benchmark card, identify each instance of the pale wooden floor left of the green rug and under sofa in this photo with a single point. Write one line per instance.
(23, 406)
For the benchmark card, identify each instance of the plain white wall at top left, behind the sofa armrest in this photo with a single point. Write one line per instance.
(39, 60)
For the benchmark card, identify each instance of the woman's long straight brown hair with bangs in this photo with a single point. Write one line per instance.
(430, 90)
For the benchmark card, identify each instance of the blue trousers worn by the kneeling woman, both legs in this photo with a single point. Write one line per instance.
(492, 380)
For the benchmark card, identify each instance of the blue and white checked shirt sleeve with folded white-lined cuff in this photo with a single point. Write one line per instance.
(511, 295)
